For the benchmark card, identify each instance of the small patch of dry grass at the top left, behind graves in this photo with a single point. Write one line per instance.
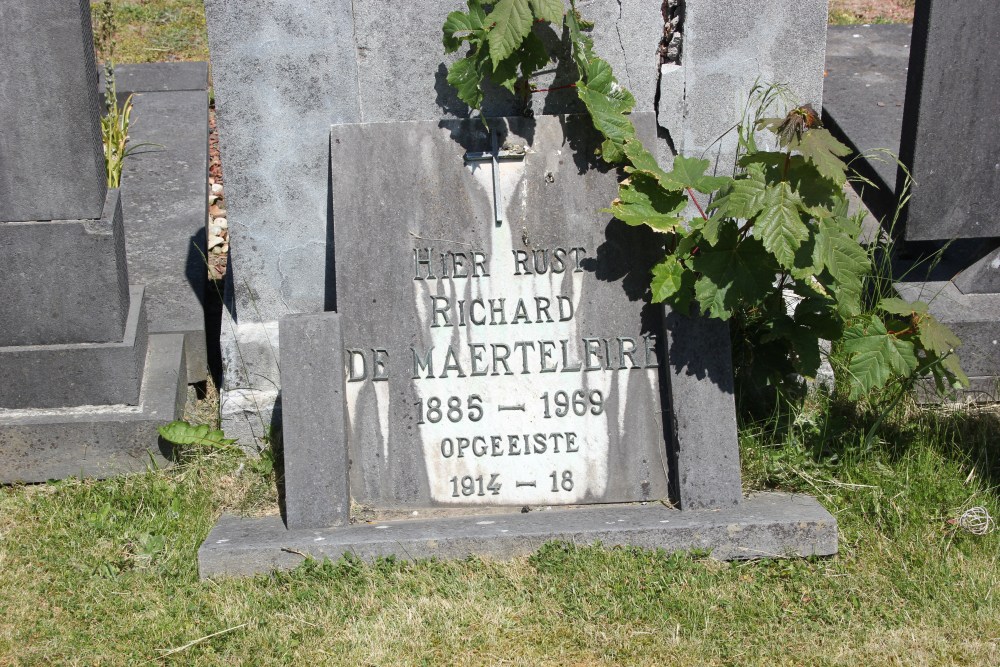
(158, 30)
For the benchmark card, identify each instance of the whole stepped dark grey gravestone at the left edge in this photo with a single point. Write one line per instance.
(83, 387)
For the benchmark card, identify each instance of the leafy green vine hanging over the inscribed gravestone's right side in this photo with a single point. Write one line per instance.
(775, 233)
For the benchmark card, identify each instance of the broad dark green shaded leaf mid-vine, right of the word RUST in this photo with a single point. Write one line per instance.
(734, 273)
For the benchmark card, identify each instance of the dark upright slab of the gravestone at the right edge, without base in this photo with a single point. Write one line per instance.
(949, 139)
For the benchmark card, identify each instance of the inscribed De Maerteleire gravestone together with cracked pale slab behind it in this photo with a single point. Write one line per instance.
(481, 372)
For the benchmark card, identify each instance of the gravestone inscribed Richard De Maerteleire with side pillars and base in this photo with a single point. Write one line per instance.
(493, 356)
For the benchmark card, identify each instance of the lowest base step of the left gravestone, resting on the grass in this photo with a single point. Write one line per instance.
(98, 441)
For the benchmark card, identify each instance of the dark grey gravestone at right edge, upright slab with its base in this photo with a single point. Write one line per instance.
(950, 144)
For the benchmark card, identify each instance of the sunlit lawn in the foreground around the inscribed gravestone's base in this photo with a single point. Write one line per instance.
(105, 572)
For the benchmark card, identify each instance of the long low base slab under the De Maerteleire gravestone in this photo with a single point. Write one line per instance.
(768, 525)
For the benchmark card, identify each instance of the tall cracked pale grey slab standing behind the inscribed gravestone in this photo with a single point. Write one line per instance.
(285, 70)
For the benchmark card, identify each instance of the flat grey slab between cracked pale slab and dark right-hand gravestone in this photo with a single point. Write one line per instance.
(863, 94)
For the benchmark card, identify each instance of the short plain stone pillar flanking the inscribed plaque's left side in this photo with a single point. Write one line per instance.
(314, 433)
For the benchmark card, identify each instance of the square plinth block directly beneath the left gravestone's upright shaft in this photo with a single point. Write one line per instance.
(82, 298)
